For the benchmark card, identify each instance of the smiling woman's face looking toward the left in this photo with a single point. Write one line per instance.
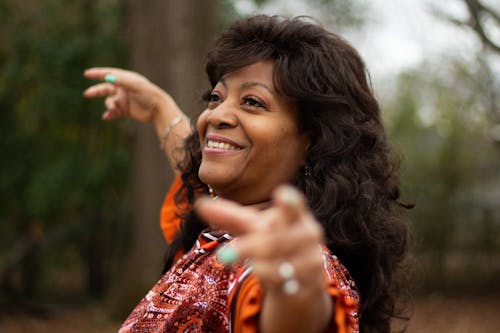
(249, 136)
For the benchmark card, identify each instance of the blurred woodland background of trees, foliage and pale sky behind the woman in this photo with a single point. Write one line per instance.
(80, 242)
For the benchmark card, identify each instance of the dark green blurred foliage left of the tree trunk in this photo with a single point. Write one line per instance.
(64, 174)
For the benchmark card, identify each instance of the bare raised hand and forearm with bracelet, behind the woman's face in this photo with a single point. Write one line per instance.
(129, 94)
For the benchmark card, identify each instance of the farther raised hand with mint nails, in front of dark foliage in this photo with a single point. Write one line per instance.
(131, 95)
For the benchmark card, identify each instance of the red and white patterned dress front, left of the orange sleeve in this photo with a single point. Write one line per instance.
(191, 297)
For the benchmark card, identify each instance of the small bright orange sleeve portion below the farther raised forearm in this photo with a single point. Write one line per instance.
(169, 216)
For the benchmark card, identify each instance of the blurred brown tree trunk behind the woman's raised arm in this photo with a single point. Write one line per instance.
(168, 41)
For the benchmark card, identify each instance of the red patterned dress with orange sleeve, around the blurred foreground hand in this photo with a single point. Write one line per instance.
(198, 294)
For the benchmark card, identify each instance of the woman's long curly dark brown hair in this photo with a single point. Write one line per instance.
(354, 189)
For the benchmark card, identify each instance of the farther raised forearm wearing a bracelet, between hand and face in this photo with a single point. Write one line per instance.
(170, 130)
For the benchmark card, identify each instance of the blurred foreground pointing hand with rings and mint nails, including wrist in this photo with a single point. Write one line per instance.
(283, 246)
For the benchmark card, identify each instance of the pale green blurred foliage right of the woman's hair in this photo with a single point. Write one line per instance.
(438, 119)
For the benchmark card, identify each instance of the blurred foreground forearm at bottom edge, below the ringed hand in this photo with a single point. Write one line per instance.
(310, 310)
